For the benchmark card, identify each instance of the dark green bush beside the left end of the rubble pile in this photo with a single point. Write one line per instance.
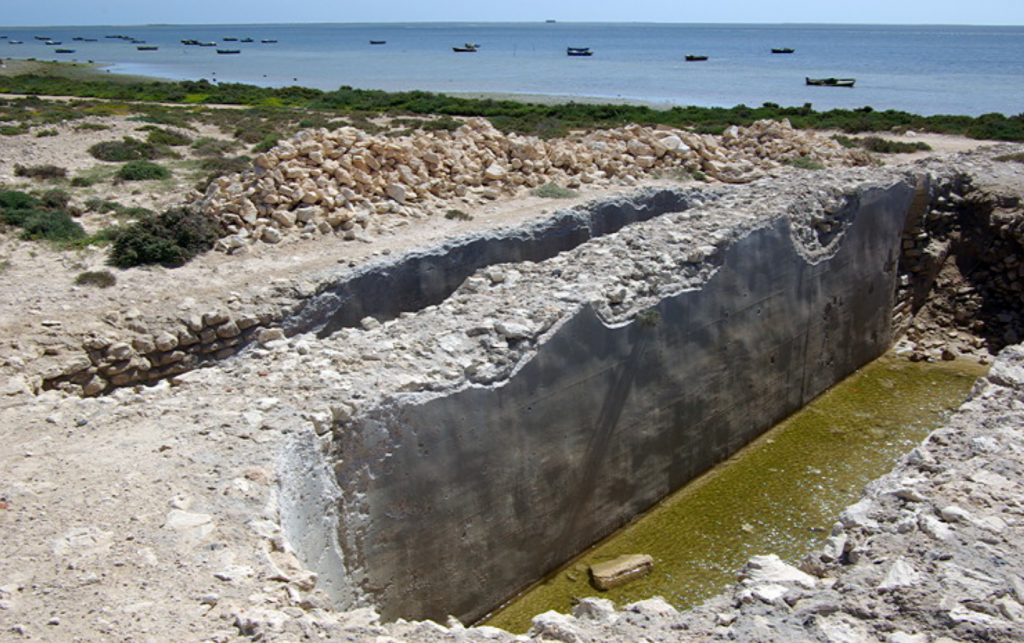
(170, 239)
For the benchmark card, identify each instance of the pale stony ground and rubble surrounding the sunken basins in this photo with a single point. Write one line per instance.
(150, 513)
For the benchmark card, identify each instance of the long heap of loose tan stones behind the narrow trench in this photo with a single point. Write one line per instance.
(326, 183)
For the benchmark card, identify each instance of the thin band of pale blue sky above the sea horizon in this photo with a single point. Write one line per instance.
(57, 13)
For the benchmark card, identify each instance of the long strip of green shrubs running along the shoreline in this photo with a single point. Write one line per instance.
(542, 120)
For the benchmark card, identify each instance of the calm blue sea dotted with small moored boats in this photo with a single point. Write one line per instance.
(926, 70)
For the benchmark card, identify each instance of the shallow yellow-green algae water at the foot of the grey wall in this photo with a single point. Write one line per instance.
(780, 495)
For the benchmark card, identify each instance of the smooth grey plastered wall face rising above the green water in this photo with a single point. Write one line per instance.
(453, 503)
